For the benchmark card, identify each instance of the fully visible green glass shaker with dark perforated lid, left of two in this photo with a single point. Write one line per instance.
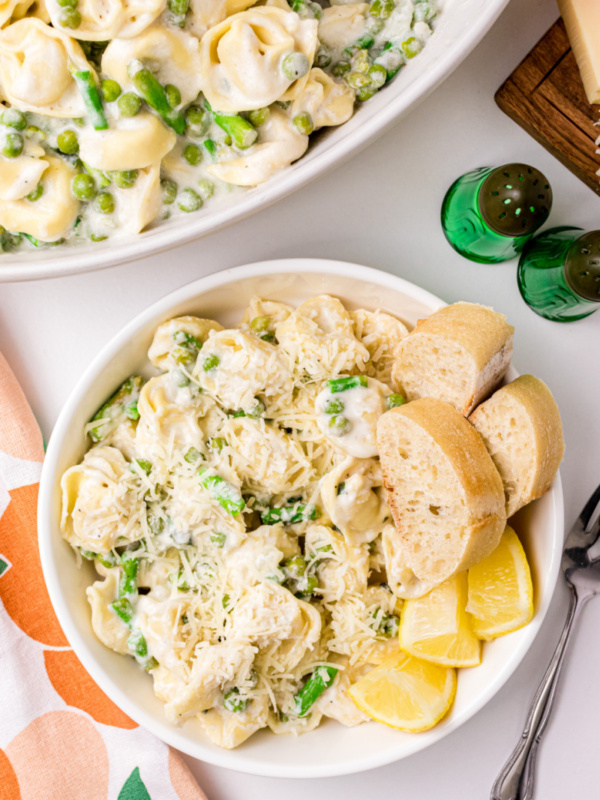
(489, 215)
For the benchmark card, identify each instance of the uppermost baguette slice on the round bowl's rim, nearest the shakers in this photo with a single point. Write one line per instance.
(458, 354)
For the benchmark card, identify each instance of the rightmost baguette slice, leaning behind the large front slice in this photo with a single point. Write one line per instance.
(521, 428)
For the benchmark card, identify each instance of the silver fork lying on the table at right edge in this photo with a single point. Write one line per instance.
(581, 567)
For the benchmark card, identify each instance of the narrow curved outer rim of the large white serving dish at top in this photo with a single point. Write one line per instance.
(69, 262)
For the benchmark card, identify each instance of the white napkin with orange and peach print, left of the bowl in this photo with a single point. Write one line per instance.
(61, 738)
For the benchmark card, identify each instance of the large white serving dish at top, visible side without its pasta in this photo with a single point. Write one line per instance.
(460, 27)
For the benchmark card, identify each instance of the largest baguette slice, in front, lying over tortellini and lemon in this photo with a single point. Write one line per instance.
(445, 493)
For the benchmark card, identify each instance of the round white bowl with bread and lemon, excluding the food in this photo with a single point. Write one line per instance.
(331, 749)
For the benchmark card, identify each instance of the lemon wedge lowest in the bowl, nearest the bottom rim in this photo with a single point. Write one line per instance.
(405, 693)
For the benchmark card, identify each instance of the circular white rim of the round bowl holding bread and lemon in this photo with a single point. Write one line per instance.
(236, 760)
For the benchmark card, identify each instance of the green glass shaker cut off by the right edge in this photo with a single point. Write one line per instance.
(559, 274)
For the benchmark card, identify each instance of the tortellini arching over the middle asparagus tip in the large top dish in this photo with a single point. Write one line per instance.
(173, 55)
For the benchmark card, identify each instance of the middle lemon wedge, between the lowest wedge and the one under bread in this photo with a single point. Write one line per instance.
(436, 626)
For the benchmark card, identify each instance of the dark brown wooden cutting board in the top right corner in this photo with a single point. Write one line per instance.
(545, 96)
